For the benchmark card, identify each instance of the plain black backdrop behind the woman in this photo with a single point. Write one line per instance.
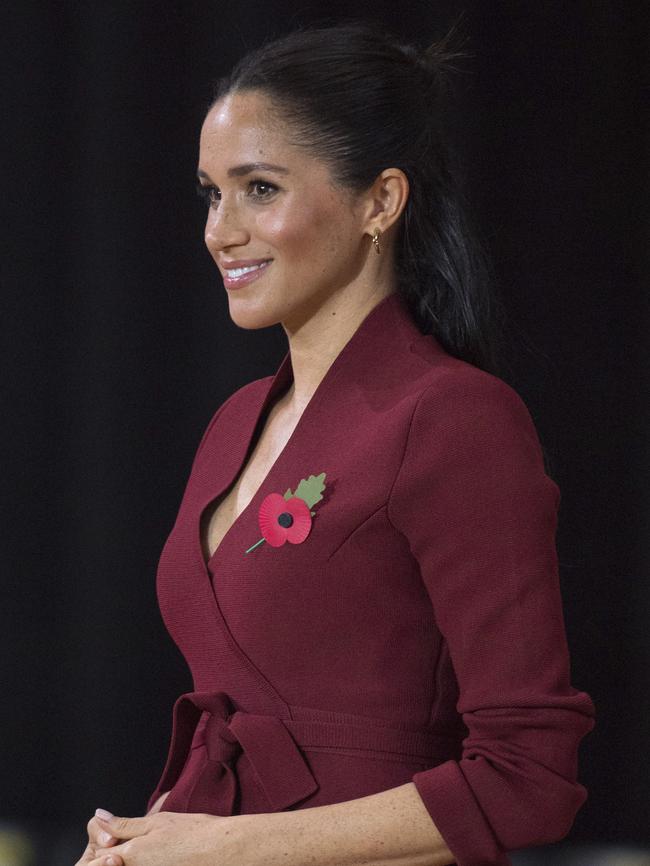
(119, 348)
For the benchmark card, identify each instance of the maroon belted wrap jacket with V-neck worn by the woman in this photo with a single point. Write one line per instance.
(416, 632)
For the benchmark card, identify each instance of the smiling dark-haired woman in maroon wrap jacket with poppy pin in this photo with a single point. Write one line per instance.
(362, 575)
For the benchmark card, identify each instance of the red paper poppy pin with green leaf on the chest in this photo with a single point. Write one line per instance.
(288, 518)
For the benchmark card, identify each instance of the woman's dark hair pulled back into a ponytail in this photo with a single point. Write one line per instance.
(362, 101)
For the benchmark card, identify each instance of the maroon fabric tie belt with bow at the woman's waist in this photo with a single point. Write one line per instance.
(273, 748)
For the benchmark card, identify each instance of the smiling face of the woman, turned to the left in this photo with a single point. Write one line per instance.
(284, 214)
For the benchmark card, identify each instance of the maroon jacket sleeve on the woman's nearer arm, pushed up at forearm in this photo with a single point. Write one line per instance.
(480, 515)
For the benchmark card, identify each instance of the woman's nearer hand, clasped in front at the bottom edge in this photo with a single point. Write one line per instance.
(172, 839)
